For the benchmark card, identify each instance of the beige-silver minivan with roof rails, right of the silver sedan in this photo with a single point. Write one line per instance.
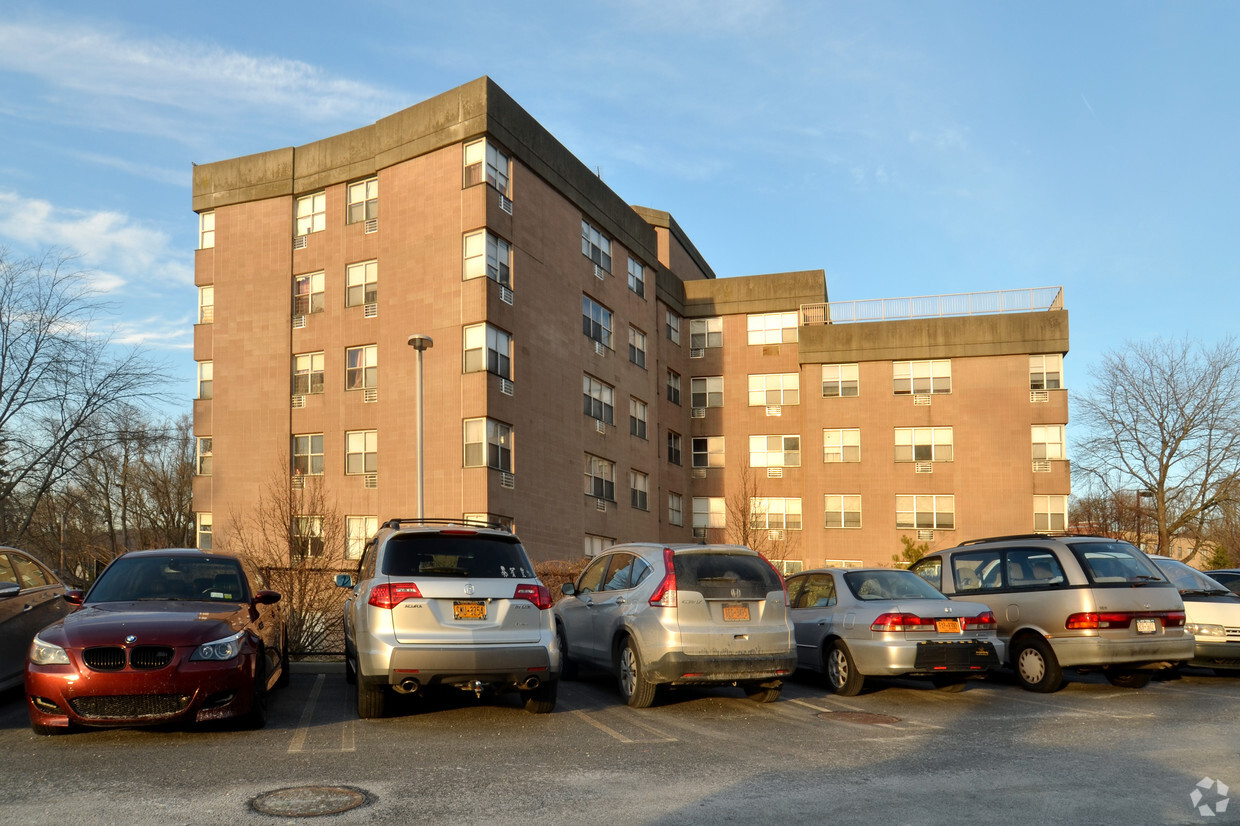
(1069, 602)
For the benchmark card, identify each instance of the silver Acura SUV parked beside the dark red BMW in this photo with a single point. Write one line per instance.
(448, 603)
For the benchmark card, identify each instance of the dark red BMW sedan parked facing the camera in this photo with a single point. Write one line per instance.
(163, 637)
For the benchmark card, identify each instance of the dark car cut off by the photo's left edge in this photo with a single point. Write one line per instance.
(30, 598)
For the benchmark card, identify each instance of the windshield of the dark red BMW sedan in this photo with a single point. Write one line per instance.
(172, 577)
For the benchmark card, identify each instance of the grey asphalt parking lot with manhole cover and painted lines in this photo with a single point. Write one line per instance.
(900, 753)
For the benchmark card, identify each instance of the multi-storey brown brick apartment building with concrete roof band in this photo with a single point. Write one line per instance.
(591, 379)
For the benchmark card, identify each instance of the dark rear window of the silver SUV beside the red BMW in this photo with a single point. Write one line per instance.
(436, 555)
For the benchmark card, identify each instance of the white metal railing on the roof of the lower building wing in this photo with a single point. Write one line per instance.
(936, 307)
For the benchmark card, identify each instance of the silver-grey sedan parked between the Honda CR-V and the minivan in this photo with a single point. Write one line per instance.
(857, 623)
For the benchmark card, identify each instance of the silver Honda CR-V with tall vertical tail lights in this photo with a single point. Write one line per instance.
(673, 616)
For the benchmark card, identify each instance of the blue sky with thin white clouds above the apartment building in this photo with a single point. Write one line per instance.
(907, 148)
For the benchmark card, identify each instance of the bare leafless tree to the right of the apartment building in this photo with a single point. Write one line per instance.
(1165, 417)
